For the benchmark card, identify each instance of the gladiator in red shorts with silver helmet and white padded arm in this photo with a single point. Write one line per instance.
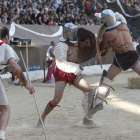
(68, 70)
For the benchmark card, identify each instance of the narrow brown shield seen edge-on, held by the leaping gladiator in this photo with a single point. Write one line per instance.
(98, 41)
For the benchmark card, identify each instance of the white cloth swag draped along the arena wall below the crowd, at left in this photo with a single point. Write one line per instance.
(13, 25)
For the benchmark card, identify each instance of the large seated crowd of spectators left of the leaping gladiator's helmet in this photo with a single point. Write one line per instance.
(48, 12)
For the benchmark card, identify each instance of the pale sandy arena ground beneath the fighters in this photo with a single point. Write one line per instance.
(120, 120)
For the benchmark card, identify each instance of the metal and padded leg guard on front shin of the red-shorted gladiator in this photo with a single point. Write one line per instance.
(89, 104)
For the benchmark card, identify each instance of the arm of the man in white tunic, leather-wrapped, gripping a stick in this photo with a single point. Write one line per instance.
(18, 72)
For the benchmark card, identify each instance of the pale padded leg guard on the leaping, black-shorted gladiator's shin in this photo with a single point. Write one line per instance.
(103, 90)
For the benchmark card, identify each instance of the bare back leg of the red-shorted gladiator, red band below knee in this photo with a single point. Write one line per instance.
(59, 89)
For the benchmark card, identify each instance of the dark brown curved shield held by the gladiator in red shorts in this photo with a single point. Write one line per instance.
(85, 53)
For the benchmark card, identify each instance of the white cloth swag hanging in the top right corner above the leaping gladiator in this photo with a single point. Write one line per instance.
(118, 2)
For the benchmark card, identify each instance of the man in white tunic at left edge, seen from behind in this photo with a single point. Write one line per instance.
(8, 57)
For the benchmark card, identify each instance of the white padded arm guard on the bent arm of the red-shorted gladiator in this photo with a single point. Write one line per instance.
(61, 60)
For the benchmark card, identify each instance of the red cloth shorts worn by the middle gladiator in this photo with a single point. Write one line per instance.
(63, 76)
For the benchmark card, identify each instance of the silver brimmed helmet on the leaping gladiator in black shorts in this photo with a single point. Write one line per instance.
(108, 18)
